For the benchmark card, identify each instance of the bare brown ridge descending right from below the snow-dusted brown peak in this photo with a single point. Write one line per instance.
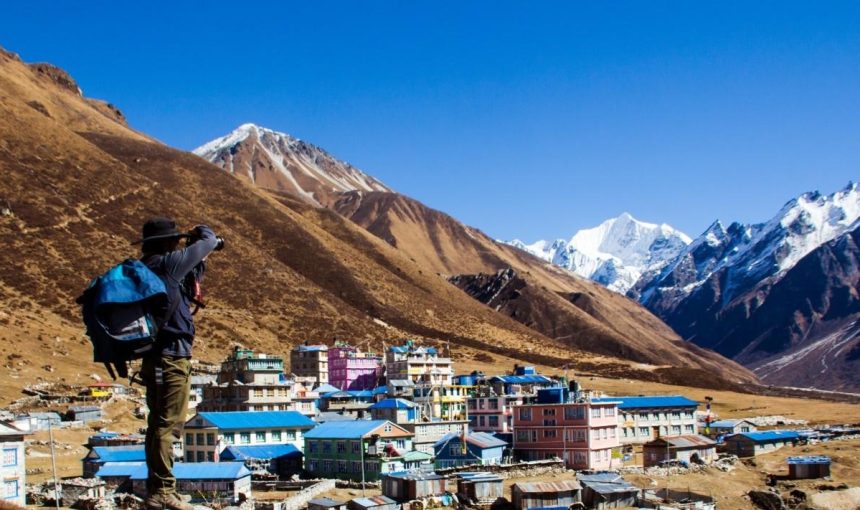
(554, 302)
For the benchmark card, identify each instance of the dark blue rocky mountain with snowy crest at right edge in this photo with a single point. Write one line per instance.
(775, 296)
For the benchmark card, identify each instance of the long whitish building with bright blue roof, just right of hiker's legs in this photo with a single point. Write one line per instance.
(207, 433)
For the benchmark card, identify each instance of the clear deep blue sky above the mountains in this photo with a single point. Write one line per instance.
(528, 119)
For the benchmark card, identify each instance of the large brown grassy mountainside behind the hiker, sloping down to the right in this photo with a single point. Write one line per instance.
(76, 186)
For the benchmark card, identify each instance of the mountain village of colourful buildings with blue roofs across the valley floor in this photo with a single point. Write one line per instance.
(403, 429)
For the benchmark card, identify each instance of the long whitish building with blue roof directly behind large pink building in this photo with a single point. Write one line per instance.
(645, 418)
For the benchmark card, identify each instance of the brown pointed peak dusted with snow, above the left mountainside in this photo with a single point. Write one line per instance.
(279, 162)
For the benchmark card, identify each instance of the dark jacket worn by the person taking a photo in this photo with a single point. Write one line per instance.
(177, 334)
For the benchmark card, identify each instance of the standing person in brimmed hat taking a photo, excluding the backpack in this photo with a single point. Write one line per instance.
(166, 371)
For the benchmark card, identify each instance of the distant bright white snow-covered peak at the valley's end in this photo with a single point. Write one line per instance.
(615, 253)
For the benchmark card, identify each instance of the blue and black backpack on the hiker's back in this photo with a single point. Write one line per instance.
(121, 313)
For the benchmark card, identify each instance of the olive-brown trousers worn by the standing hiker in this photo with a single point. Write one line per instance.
(168, 385)
